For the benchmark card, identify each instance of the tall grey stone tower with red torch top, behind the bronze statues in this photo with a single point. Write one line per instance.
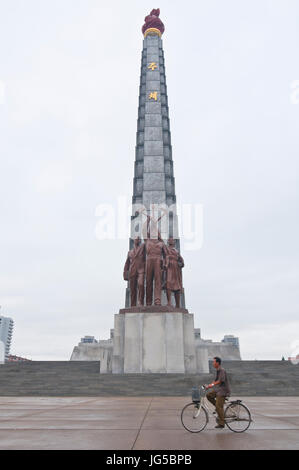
(154, 183)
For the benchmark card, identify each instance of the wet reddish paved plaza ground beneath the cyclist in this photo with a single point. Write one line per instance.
(138, 423)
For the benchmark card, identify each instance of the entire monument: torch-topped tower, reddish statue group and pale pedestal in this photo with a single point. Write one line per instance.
(155, 336)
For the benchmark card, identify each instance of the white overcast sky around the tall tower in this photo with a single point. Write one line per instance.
(69, 78)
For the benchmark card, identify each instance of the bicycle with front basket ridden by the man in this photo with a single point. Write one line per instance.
(195, 415)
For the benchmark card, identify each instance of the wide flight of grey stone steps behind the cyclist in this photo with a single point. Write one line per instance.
(80, 378)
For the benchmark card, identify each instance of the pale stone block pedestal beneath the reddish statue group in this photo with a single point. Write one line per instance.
(151, 341)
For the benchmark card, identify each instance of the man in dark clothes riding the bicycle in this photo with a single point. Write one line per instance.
(221, 390)
